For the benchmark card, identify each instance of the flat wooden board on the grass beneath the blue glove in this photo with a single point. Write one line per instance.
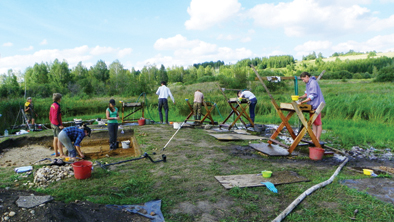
(254, 180)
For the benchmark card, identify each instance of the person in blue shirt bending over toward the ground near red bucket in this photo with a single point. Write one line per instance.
(73, 134)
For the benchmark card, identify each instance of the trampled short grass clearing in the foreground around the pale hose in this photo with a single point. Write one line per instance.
(189, 191)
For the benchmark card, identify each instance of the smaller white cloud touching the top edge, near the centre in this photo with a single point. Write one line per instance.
(207, 13)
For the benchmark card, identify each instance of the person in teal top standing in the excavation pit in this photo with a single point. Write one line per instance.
(112, 117)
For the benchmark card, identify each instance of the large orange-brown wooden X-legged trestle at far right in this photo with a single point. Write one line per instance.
(307, 125)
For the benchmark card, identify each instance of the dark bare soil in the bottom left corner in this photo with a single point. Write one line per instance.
(59, 211)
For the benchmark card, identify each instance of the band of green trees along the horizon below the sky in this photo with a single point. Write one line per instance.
(43, 79)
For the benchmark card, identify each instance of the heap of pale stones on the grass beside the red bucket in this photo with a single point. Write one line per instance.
(49, 174)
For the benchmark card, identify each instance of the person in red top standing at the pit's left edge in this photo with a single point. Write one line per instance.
(55, 117)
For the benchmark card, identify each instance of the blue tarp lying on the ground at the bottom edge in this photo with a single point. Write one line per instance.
(152, 209)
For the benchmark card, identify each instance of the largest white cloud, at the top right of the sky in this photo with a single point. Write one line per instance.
(301, 17)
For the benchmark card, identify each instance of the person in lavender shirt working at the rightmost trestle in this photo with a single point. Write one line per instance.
(314, 97)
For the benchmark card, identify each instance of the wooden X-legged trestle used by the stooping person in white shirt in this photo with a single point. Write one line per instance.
(242, 105)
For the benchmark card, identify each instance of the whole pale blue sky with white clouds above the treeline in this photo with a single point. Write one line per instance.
(181, 33)
